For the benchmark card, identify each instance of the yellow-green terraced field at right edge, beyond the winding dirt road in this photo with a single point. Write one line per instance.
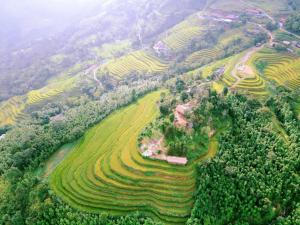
(282, 68)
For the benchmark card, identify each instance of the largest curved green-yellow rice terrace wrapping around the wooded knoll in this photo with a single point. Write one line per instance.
(106, 173)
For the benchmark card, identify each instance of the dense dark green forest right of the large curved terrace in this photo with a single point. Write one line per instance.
(254, 179)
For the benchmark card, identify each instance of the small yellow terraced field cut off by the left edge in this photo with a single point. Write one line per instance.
(11, 110)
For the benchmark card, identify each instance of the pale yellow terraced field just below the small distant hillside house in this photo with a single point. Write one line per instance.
(136, 61)
